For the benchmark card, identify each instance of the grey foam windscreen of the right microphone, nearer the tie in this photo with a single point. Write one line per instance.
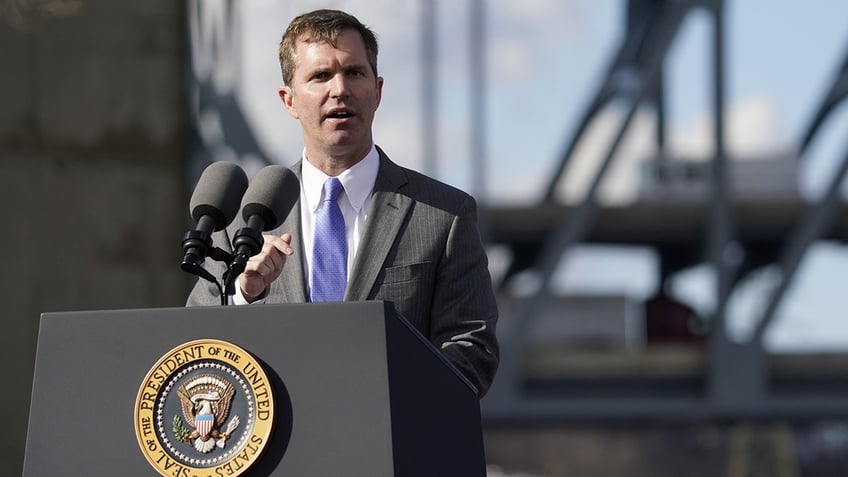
(271, 195)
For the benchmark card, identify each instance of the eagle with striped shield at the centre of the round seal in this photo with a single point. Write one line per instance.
(205, 400)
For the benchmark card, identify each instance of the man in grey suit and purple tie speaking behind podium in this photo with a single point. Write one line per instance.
(409, 239)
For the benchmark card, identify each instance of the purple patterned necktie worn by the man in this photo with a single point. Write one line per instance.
(329, 247)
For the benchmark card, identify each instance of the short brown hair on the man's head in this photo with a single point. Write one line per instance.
(322, 26)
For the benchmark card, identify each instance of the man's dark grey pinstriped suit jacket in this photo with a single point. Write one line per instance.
(421, 250)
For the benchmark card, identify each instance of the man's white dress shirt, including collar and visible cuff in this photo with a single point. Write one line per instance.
(358, 182)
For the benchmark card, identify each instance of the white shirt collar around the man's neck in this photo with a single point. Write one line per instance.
(358, 180)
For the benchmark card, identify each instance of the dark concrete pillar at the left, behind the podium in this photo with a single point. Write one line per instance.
(92, 164)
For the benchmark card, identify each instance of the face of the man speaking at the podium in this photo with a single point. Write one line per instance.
(334, 95)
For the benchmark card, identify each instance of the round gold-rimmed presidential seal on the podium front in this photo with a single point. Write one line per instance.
(205, 409)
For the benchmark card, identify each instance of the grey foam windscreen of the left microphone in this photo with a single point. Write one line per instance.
(218, 193)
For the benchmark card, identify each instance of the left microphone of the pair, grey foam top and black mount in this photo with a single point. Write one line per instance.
(214, 204)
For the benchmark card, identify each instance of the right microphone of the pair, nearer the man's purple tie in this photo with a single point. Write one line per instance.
(267, 202)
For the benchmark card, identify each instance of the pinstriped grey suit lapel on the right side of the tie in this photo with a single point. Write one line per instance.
(389, 209)
